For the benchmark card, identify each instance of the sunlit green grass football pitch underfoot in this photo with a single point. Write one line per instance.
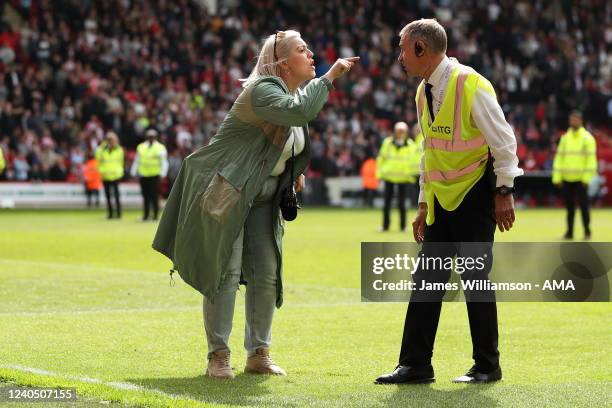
(85, 303)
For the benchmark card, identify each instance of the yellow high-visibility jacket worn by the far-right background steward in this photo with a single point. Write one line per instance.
(576, 157)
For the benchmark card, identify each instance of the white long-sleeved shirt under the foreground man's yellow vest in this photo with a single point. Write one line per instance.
(489, 118)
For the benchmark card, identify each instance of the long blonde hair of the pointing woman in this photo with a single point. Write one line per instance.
(267, 63)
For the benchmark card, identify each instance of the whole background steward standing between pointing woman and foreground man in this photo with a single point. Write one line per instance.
(393, 167)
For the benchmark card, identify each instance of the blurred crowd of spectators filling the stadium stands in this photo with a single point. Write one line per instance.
(70, 70)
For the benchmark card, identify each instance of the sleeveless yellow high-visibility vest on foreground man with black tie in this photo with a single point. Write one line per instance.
(456, 152)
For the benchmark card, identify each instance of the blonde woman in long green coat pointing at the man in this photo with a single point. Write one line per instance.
(222, 223)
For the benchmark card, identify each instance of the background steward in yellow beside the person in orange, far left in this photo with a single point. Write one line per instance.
(111, 164)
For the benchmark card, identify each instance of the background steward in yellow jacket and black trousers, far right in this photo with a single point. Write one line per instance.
(574, 167)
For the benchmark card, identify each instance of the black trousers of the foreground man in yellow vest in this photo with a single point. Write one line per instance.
(472, 221)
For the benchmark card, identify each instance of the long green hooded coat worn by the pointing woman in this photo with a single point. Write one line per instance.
(217, 184)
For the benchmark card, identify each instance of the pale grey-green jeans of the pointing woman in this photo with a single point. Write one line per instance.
(254, 254)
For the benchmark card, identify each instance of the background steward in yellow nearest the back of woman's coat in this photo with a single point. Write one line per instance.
(150, 164)
